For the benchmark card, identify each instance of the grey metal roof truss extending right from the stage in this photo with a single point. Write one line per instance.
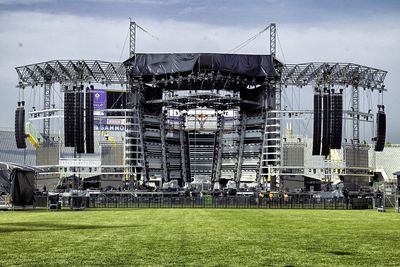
(333, 74)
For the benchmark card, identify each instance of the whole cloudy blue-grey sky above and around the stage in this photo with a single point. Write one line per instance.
(360, 31)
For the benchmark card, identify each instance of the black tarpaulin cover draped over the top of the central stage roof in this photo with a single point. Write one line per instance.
(235, 64)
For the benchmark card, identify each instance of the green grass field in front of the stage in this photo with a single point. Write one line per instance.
(202, 237)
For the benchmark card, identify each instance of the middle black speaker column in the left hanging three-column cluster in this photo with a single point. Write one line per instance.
(79, 121)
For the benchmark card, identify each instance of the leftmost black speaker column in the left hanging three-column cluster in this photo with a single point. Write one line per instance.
(69, 118)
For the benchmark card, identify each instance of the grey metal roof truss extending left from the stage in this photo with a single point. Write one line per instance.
(72, 71)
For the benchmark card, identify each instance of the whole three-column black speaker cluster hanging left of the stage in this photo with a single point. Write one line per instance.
(76, 110)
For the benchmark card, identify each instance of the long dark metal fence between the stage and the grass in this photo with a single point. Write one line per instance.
(207, 201)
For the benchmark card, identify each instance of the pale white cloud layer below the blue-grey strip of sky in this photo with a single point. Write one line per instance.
(30, 37)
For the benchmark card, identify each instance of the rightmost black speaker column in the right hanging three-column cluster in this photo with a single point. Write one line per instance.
(336, 121)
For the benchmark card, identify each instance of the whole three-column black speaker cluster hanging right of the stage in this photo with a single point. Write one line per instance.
(328, 119)
